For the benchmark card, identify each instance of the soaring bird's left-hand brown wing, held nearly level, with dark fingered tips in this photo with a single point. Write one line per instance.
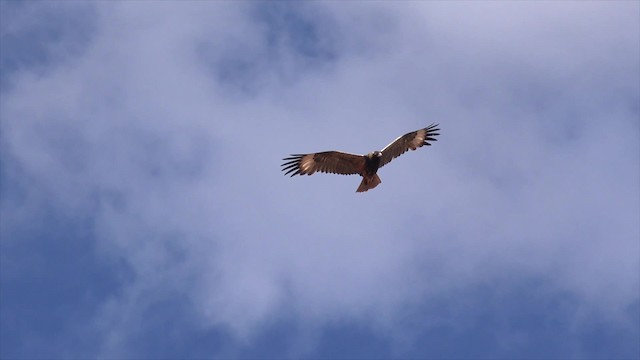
(334, 162)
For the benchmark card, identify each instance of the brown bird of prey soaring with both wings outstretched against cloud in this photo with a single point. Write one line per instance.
(337, 162)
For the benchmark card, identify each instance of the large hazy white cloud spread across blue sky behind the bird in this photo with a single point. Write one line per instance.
(177, 155)
